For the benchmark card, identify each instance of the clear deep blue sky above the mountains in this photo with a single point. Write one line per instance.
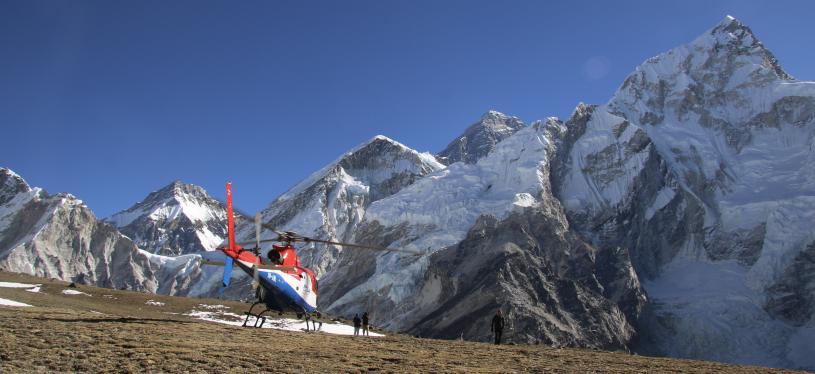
(110, 100)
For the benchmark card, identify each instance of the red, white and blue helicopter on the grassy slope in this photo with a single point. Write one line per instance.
(281, 283)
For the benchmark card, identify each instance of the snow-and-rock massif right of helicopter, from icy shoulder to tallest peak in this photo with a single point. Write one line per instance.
(696, 173)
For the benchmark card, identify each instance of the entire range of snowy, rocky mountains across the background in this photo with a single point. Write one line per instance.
(676, 220)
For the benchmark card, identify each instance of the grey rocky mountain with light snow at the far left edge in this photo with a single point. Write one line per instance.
(57, 236)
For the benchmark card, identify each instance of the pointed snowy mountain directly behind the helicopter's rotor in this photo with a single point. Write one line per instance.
(332, 201)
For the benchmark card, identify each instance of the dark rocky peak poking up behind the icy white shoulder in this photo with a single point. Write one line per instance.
(480, 138)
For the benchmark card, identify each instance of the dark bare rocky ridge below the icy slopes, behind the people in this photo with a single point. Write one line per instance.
(555, 288)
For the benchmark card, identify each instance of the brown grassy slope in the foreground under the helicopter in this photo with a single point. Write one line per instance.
(119, 333)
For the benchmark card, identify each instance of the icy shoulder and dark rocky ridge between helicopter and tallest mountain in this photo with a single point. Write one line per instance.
(492, 236)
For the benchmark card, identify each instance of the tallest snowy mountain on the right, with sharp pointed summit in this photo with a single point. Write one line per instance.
(702, 165)
